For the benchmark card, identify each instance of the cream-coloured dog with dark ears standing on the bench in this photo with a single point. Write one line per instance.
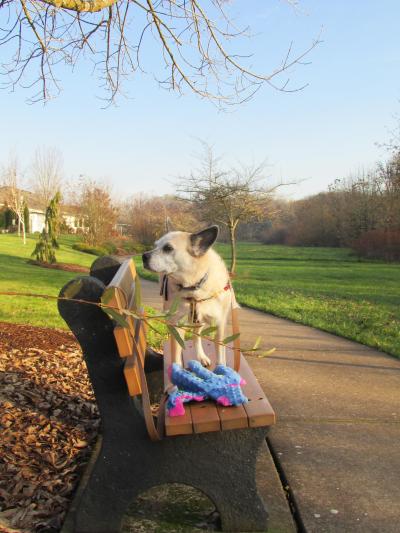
(192, 271)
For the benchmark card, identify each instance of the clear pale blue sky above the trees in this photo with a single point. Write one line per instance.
(328, 130)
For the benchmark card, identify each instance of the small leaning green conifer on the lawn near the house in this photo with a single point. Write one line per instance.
(47, 243)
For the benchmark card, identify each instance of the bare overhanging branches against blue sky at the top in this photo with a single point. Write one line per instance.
(194, 39)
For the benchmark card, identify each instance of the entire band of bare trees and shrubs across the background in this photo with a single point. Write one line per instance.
(361, 211)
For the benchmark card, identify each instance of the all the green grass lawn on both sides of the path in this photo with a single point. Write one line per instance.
(327, 288)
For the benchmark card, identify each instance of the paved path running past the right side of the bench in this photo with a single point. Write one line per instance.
(338, 432)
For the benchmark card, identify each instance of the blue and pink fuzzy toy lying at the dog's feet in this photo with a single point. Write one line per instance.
(222, 385)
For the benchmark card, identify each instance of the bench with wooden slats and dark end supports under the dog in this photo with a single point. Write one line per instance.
(212, 448)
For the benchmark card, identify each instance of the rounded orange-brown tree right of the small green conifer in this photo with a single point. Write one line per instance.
(98, 211)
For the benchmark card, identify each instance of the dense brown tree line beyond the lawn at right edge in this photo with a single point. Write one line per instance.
(361, 212)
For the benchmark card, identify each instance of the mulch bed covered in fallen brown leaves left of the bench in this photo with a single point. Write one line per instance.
(48, 425)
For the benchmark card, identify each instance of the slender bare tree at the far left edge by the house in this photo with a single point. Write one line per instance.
(14, 195)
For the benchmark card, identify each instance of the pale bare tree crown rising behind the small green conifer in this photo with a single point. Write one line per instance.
(47, 168)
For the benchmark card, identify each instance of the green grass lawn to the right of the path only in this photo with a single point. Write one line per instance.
(327, 288)
